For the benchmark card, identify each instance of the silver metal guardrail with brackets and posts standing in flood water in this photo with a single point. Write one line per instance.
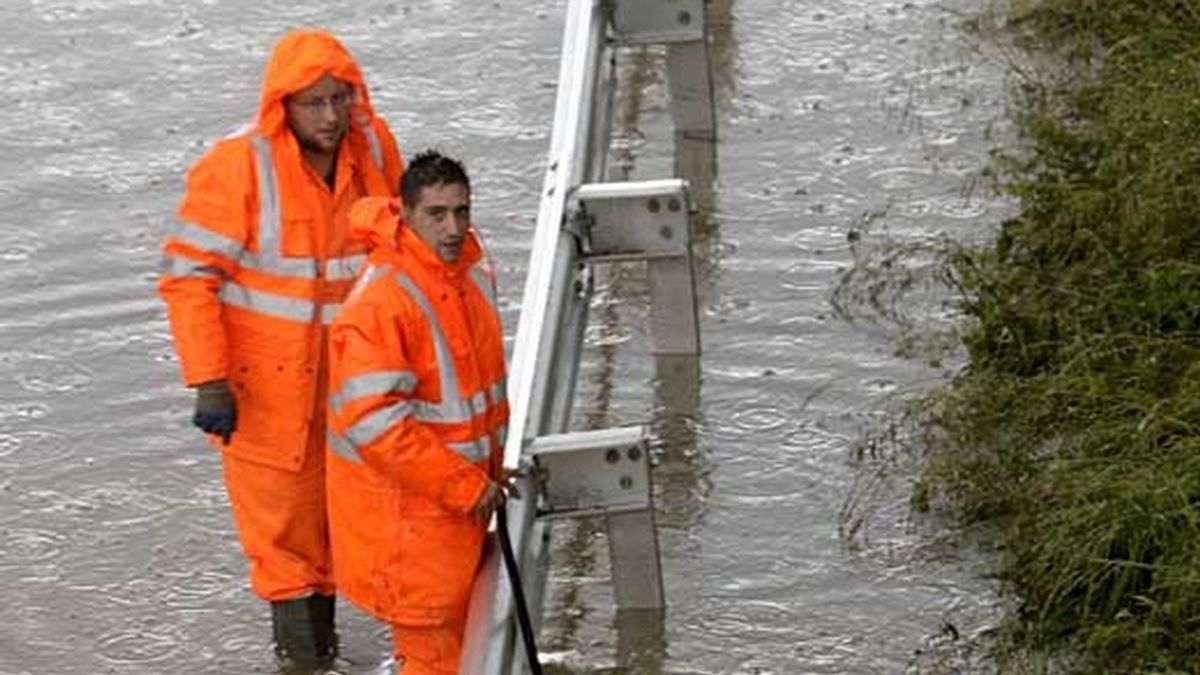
(584, 222)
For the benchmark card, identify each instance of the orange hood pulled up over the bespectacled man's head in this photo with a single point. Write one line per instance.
(299, 59)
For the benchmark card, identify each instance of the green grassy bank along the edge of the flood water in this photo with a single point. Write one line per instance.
(1075, 431)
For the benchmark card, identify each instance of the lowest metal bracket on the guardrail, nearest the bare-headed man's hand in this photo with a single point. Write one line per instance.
(596, 473)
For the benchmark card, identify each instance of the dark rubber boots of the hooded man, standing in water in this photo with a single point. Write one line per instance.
(304, 634)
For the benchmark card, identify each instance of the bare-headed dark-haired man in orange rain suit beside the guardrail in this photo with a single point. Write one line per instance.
(418, 417)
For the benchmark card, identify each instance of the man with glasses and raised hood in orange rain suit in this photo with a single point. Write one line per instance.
(255, 271)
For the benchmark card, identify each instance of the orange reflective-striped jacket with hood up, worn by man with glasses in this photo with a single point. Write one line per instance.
(262, 256)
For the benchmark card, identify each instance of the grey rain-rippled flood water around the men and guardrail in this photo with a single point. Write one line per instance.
(117, 551)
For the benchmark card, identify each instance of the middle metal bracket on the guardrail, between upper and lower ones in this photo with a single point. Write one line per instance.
(638, 219)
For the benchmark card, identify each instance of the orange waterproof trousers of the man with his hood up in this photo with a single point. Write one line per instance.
(283, 524)
